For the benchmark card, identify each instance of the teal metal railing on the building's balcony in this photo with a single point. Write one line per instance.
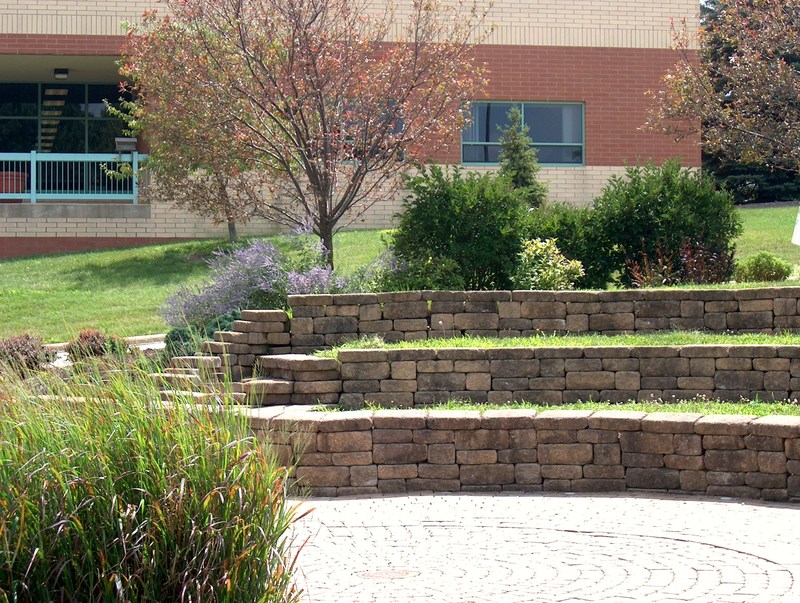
(70, 177)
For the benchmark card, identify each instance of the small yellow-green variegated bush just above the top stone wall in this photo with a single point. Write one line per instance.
(542, 266)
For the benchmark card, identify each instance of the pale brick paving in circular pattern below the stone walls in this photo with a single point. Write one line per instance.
(506, 548)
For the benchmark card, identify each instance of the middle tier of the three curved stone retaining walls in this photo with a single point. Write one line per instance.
(557, 375)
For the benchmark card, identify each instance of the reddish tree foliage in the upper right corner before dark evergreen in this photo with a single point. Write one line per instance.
(745, 88)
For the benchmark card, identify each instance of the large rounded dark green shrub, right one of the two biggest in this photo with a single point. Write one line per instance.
(662, 207)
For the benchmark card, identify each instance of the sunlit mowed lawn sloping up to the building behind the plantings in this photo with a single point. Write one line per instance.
(122, 290)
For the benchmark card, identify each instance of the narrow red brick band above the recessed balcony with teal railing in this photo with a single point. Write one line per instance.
(60, 44)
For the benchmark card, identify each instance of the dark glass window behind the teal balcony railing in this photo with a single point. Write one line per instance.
(58, 118)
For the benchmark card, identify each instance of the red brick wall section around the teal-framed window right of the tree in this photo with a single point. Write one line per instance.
(612, 82)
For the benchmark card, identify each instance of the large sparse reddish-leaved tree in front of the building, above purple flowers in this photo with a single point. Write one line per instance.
(314, 107)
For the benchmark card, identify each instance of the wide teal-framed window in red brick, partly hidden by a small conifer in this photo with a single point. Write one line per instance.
(555, 128)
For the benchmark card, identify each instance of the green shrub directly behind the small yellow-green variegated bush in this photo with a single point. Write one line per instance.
(574, 230)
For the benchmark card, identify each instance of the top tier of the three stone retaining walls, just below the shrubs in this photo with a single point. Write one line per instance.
(321, 321)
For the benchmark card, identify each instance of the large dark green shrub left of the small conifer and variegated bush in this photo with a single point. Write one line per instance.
(473, 222)
